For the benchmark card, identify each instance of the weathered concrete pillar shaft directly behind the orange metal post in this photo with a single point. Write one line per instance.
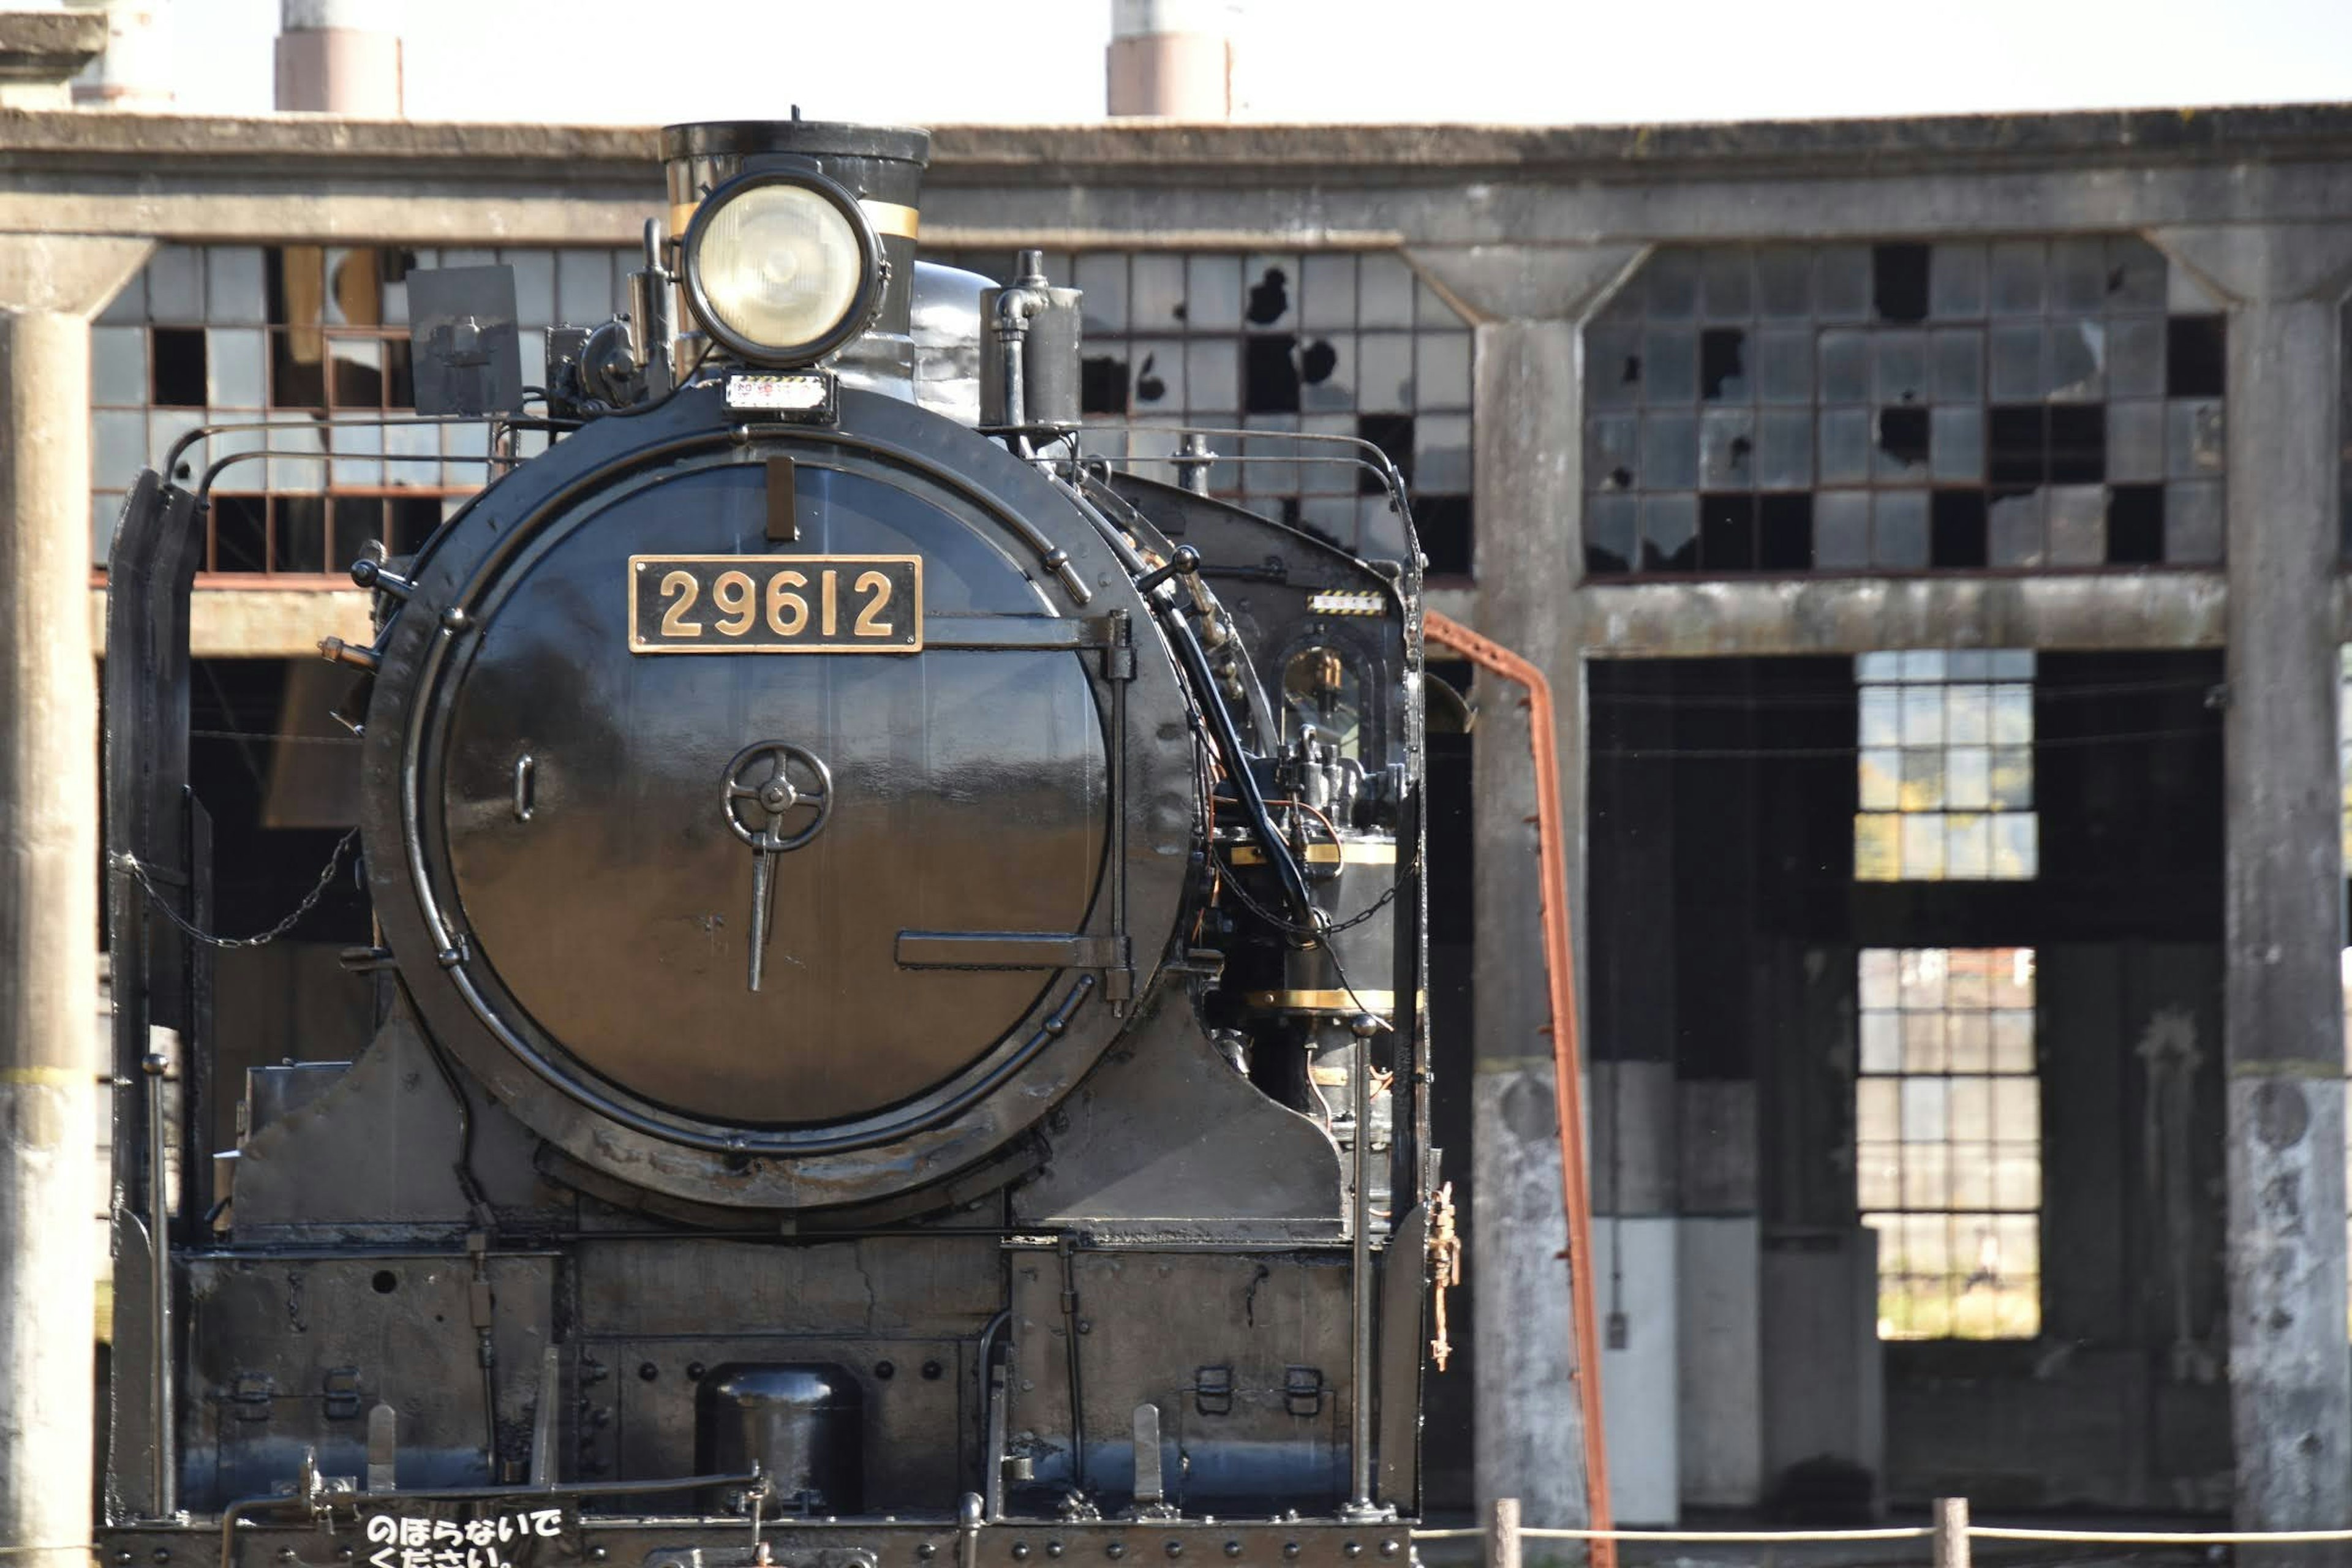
(1530, 1438)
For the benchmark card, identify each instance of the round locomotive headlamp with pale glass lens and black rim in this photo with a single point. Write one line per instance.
(782, 267)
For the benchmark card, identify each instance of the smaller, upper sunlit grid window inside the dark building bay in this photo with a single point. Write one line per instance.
(1946, 768)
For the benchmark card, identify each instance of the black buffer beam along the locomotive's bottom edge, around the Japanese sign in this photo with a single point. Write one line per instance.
(615, 1541)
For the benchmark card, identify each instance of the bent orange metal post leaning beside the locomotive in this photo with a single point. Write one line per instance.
(1568, 1054)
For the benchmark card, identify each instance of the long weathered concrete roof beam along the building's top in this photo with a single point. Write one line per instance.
(312, 177)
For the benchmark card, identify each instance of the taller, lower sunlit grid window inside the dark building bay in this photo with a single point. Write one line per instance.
(1949, 1141)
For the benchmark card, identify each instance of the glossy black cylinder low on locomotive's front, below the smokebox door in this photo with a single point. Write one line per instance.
(803, 1423)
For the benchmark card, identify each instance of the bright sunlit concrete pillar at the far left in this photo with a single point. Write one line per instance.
(48, 890)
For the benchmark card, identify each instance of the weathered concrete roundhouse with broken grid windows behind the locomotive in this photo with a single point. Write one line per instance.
(1932, 532)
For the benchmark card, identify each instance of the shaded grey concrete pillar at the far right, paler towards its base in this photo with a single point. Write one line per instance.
(2290, 1365)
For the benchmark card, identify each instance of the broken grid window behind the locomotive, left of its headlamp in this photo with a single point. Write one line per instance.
(288, 340)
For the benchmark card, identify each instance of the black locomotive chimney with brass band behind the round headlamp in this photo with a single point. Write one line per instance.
(876, 163)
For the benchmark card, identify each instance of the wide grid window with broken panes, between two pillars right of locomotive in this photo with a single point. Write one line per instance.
(2022, 406)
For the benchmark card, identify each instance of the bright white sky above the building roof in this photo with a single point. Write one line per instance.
(1535, 62)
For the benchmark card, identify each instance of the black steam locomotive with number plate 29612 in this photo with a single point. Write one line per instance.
(900, 967)
